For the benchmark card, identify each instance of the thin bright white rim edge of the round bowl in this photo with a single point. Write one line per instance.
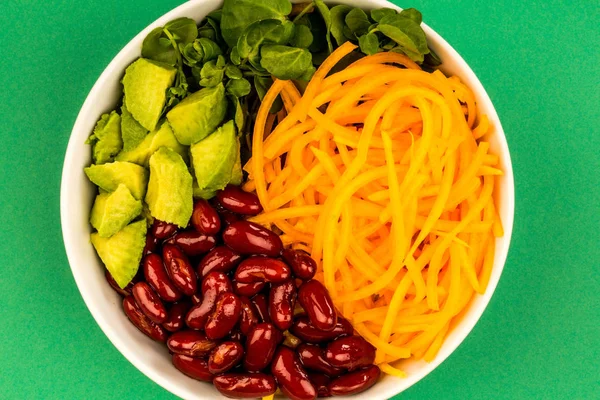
(153, 373)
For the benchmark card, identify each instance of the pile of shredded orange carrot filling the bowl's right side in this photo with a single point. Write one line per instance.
(382, 172)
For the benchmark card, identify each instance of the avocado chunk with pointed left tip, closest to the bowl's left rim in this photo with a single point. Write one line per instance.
(109, 176)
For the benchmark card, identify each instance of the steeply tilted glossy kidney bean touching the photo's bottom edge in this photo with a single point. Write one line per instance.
(292, 378)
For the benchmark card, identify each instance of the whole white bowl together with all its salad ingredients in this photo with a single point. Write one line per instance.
(357, 284)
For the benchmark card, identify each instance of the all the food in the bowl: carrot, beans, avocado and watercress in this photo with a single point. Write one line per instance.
(367, 158)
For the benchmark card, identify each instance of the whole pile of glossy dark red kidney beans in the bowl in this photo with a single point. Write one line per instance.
(233, 320)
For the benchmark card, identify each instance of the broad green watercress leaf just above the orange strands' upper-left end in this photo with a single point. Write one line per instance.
(285, 62)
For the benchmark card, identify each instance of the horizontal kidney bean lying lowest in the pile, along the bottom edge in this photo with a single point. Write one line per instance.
(245, 386)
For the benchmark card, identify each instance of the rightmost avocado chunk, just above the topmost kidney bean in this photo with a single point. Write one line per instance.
(213, 158)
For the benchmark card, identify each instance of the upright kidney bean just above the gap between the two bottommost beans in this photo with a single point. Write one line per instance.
(261, 343)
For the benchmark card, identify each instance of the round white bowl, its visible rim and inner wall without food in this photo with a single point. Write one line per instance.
(77, 194)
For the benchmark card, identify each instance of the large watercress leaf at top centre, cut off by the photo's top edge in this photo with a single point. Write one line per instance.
(237, 15)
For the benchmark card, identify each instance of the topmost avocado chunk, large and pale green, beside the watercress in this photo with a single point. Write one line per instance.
(145, 86)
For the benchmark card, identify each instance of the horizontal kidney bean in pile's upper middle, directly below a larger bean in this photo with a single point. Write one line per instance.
(262, 269)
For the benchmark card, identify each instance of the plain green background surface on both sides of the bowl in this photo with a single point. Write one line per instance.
(539, 61)
